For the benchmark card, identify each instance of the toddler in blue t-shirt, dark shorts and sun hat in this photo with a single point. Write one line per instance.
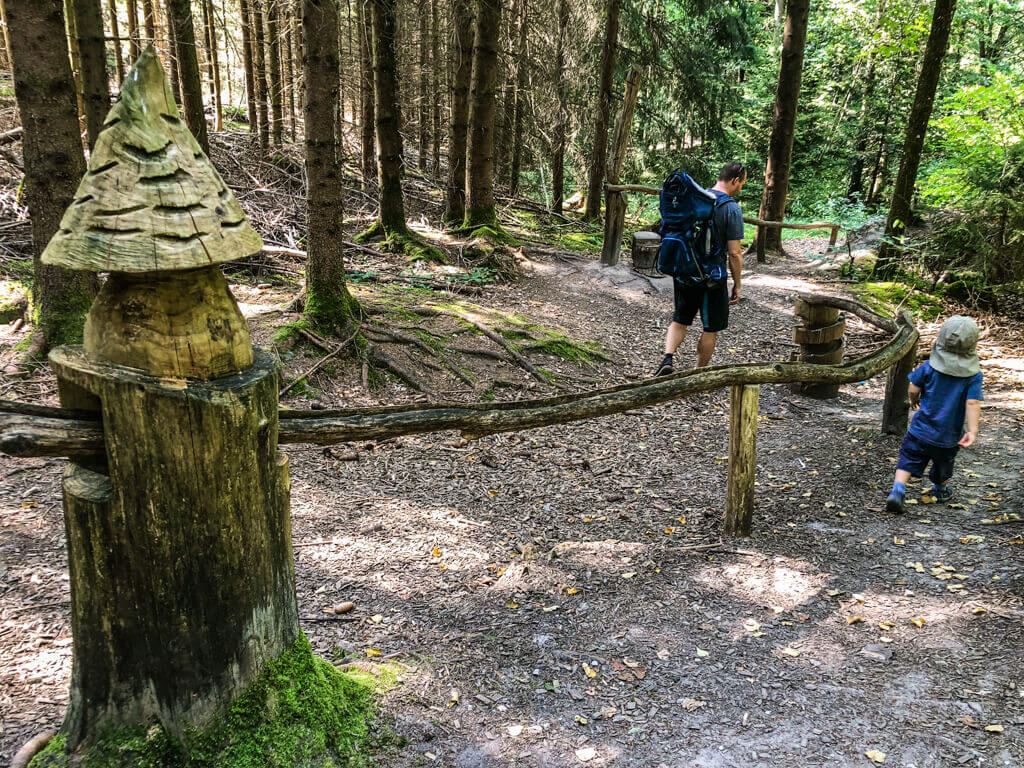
(949, 389)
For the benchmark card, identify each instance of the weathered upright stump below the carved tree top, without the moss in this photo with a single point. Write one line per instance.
(176, 608)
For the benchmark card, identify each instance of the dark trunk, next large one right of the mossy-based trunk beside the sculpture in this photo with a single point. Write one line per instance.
(389, 118)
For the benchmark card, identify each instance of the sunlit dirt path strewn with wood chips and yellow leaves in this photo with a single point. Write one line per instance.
(540, 591)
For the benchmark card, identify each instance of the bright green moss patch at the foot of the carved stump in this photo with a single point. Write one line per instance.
(301, 713)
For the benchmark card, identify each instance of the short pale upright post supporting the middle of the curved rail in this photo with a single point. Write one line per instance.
(744, 401)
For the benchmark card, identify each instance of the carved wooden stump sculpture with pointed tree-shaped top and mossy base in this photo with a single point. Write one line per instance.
(180, 542)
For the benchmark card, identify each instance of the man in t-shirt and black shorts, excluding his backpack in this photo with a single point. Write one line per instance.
(712, 301)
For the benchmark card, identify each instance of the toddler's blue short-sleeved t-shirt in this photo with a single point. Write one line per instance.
(944, 405)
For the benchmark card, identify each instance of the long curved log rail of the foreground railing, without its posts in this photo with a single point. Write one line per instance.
(33, 431)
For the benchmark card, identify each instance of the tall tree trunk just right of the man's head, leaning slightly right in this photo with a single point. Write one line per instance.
(784, 124)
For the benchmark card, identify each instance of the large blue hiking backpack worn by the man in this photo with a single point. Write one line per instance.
(692, 251)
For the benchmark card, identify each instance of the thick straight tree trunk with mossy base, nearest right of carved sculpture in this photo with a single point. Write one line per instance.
(329, 306)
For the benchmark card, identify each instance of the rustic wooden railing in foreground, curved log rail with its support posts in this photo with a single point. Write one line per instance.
(28, 431)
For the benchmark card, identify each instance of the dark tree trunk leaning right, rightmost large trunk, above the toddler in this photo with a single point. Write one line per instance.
(901, 208)
